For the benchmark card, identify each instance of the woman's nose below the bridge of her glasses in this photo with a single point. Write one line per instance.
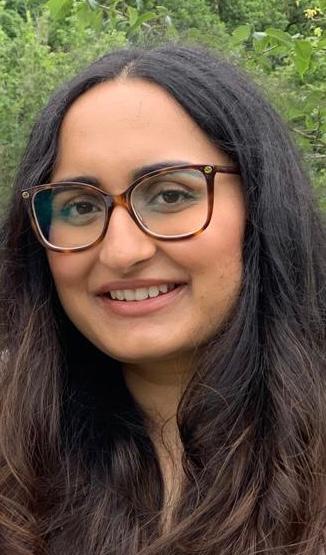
(125, 244)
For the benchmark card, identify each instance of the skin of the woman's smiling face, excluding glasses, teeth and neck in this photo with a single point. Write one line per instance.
(110, 132)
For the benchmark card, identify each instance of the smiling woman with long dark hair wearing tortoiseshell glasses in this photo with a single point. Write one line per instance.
(163, 370)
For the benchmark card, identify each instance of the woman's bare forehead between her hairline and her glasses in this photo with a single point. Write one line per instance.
(121, 125)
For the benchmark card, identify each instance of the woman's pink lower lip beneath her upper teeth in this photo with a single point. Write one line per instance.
(141, 308)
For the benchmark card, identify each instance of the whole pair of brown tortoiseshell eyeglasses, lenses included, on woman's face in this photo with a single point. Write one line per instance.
(169, 204)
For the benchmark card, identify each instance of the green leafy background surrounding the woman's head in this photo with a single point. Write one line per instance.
(282, 44)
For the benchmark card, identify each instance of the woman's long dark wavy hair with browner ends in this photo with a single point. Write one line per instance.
(78, 471)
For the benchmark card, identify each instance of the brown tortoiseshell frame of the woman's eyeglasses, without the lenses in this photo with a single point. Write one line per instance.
(209, 172)
